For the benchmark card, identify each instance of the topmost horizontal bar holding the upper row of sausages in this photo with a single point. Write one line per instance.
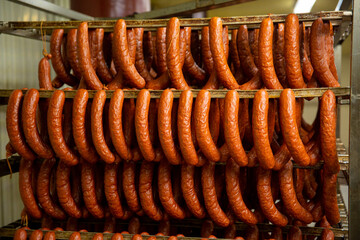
(335, 17)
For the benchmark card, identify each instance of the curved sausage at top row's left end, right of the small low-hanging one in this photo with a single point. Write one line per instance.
(56, 59)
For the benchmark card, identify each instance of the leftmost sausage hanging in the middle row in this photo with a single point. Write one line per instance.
(13, 126)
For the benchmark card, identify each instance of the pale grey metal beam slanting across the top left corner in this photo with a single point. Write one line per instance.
(53, 9)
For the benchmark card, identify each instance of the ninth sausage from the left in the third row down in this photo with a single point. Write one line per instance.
(189, 192)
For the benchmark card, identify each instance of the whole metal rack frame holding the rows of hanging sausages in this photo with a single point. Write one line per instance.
(341, 20)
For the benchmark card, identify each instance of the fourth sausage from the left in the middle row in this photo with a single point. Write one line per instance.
(82, 138)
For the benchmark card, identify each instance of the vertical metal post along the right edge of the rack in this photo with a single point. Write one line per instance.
(354, 141)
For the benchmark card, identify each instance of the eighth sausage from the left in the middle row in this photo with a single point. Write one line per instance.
(164, 127)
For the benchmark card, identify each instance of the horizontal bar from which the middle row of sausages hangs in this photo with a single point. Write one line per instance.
(299, 93)
